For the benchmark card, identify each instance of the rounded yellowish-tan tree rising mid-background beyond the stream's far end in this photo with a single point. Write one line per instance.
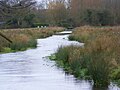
(57, 11)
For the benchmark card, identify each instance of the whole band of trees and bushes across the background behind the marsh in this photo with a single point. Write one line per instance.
(67, 13)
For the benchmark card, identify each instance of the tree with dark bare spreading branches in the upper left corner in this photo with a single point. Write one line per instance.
(15, 9)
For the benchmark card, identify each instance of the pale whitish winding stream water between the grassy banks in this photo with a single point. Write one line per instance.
(31, 70)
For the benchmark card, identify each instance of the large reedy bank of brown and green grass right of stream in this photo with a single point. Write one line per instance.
(98, 60)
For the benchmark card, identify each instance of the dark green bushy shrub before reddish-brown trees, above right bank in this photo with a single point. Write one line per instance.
(97, 17)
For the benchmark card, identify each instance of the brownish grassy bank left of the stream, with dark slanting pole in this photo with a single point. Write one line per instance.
(24, 38)
